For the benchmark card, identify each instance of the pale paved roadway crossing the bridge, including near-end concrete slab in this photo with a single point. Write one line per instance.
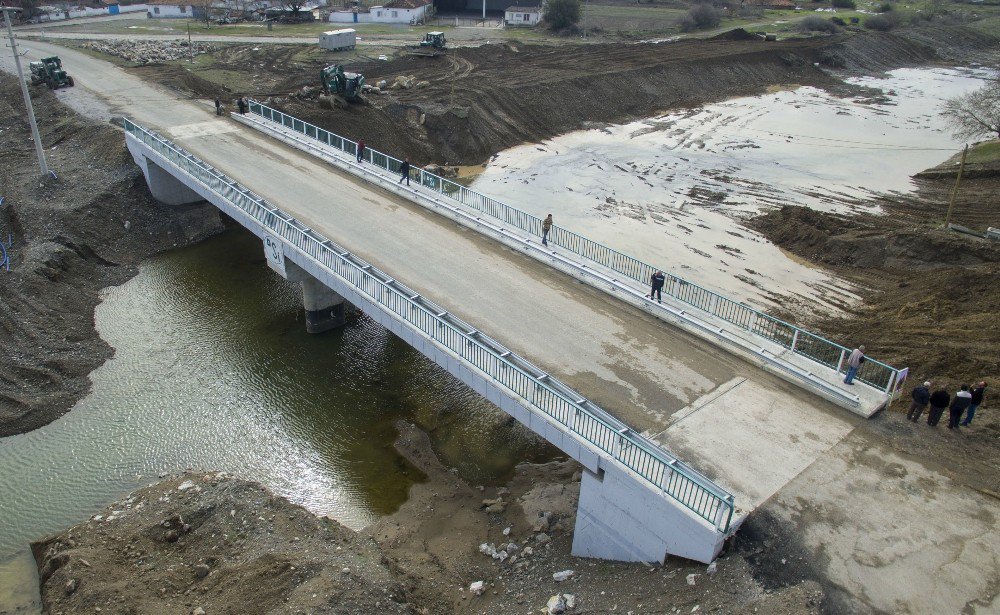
(728, 418)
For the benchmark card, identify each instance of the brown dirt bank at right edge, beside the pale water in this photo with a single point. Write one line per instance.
(932, 298)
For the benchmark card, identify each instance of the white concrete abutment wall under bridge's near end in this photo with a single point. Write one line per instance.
(619, 518)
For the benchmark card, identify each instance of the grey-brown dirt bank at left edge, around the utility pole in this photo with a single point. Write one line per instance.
(71, 237)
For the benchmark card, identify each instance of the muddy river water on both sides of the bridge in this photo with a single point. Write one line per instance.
(213, 368)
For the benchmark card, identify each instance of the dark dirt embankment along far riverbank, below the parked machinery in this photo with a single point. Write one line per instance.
(478, 101)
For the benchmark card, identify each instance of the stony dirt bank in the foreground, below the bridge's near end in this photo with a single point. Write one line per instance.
(205, 543)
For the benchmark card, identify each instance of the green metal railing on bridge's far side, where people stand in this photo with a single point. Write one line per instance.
(799, 341)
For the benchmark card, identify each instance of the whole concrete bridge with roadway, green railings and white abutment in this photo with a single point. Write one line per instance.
(612, 379)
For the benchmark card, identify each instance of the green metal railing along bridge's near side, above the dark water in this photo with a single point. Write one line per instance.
(666, 473)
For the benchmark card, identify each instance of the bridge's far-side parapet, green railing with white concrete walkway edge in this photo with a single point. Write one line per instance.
(806, 353)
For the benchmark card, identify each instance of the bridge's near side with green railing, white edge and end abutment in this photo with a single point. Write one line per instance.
(675, 509)
